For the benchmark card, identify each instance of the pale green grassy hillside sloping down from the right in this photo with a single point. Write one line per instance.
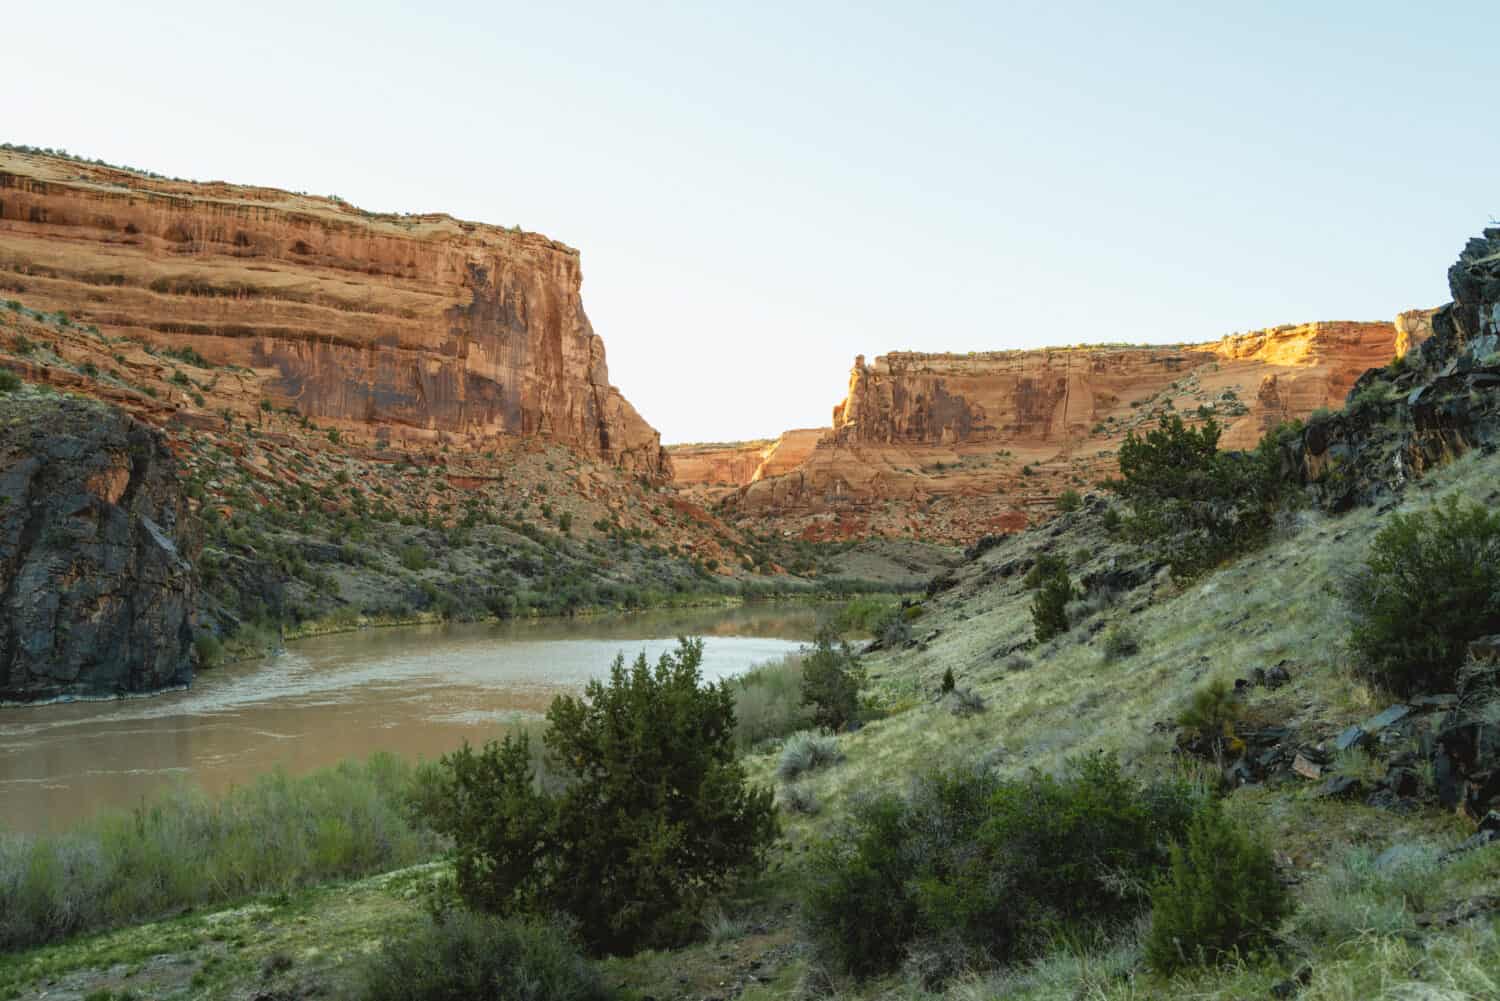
(1369, 924)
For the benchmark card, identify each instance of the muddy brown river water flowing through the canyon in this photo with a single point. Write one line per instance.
(416, 691)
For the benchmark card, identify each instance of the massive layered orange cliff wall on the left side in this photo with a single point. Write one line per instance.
(409, 328)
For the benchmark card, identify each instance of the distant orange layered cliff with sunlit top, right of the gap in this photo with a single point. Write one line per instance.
(952, 446)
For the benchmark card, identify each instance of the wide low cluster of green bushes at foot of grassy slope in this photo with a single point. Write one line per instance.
(974, 870)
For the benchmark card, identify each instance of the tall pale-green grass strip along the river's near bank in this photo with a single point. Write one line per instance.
(190, 850)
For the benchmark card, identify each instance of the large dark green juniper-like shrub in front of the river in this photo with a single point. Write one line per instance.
(653, 819)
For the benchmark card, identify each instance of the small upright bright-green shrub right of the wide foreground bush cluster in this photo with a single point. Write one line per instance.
(1220, 900)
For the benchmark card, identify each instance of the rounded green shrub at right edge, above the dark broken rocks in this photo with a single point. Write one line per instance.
(1430, 586)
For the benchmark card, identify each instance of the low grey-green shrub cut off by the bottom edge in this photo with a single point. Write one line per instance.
(481, 958)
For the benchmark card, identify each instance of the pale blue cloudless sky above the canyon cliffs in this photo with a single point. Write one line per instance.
(763, 191)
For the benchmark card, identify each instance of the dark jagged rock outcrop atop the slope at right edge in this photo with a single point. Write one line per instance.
(1436, 404)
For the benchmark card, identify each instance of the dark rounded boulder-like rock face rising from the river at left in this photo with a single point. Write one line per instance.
(95, 555)
